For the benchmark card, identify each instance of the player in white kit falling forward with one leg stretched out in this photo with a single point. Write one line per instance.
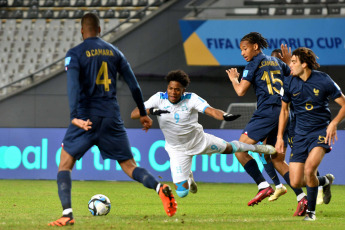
(177, 113)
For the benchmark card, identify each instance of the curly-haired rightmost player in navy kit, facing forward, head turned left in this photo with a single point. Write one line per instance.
(309, 92)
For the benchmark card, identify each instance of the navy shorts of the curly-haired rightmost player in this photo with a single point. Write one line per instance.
(302, 145)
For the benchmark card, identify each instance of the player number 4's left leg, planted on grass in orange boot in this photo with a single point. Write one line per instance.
(64, 183)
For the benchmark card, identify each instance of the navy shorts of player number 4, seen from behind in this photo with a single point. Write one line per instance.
(108, 133)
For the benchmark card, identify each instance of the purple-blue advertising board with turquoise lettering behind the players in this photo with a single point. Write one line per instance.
(35, 154)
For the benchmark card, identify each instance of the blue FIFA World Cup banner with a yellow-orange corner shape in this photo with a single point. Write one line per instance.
(216, 42)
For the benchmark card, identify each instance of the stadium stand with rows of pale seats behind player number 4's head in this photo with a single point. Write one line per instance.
(36, 34)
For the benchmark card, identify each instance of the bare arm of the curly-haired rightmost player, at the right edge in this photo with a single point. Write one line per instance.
(331, 132)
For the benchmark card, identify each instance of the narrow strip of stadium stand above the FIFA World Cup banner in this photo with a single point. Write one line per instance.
(269, 8)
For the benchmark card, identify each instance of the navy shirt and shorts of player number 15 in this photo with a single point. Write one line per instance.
(266, 74)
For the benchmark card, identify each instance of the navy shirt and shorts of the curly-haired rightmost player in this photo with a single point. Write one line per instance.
(310, 100)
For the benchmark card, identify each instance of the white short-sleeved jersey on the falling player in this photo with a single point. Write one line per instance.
(180, 127)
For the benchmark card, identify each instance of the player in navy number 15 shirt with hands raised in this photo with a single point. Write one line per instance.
(266, 74)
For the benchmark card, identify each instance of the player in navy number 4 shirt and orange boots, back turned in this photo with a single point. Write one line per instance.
(95, 117)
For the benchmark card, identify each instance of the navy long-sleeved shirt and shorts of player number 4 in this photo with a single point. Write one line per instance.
(92, 67)
